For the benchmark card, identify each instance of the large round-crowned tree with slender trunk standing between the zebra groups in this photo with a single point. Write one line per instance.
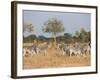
(53, 26)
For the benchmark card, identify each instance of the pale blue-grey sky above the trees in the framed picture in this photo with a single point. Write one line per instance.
(72, 21)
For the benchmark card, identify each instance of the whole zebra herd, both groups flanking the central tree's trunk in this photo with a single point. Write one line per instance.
(71, 49)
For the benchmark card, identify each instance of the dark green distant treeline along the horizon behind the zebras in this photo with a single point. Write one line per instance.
(81, 36)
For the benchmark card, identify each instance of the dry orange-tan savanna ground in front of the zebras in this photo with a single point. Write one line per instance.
(54, 58)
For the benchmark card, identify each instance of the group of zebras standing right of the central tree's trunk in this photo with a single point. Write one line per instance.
(77, 49)
